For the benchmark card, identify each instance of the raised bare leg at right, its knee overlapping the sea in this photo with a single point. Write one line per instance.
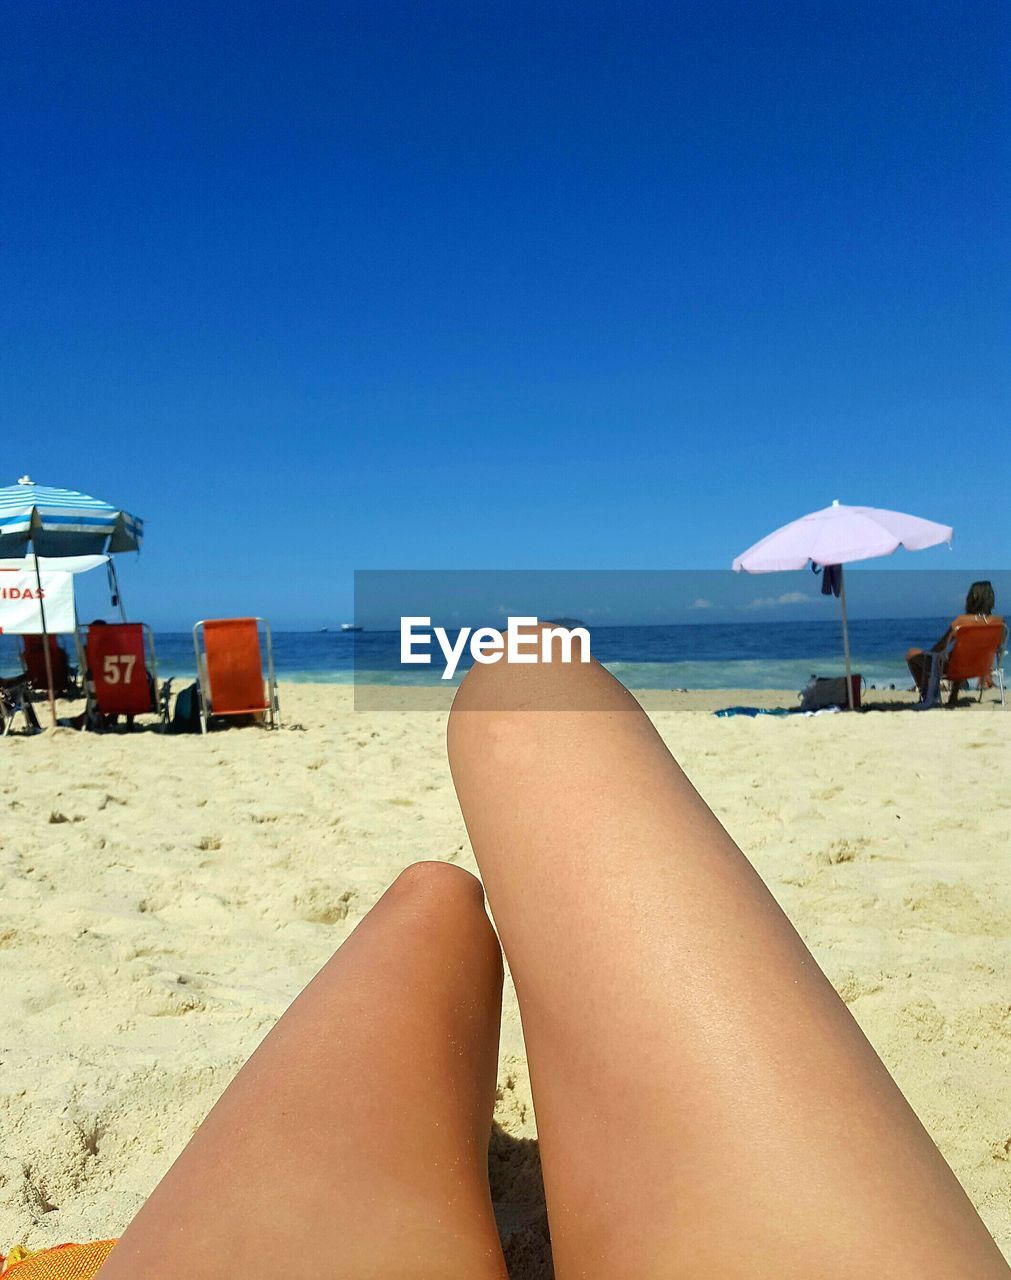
(707, 1105)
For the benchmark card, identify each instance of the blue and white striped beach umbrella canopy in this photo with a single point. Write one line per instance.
(63, 523)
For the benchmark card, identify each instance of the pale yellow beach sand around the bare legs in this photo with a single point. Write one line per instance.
(167, 898)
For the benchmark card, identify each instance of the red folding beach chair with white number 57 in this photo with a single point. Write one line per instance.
(122, 671)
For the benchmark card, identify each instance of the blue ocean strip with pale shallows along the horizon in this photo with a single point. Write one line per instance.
(706, 656)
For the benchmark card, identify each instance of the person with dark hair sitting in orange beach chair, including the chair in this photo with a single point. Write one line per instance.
(971, 650)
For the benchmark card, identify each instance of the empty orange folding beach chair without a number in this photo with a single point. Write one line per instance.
(232, 670)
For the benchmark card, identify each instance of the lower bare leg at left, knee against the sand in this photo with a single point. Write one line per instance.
(354, 1144)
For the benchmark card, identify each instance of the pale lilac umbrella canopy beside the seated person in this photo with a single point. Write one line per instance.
(840, 536)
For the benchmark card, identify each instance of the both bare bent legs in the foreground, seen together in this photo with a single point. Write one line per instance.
(707, 1107)
